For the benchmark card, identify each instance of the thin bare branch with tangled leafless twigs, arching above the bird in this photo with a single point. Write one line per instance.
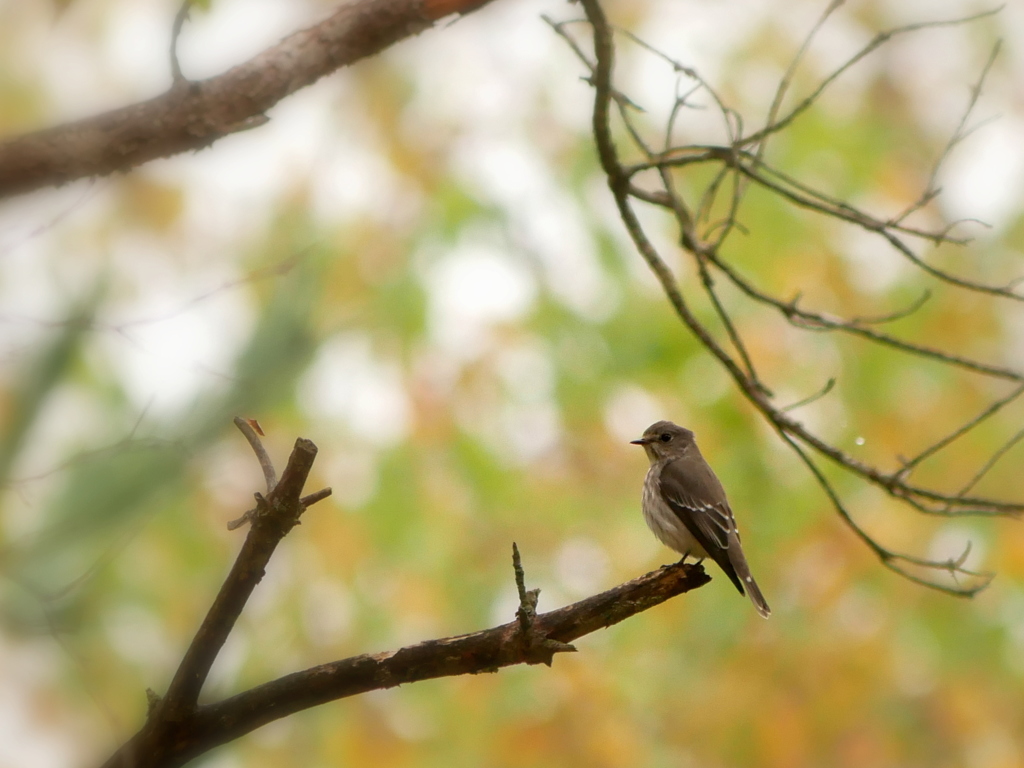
(739, 163)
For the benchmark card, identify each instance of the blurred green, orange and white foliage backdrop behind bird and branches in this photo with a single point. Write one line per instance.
(417, 266)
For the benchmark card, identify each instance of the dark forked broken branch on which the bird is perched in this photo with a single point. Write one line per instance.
(179, 730)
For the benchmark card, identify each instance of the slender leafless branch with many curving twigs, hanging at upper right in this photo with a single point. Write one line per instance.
(706, 250)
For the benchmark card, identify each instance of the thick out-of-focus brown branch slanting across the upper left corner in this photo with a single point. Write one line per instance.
(192, 115)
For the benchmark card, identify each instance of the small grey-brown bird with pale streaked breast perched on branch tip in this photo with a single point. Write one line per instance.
(686, 505)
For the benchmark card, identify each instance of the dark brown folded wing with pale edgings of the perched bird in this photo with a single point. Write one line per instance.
(711, 524)
